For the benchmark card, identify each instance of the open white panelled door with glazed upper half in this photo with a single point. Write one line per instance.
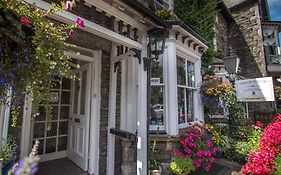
(79, 117)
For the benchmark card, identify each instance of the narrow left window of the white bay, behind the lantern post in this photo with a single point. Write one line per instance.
(157, 96)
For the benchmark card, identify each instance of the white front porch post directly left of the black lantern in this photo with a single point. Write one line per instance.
(142, 115)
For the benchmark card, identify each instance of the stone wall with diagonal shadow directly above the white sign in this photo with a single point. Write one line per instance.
(245, 37)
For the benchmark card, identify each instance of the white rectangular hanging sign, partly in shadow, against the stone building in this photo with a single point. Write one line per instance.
(258, 89)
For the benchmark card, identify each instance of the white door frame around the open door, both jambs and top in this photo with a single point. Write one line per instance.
(94, 58)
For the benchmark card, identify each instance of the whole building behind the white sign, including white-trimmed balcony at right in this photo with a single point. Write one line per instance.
(245, 27)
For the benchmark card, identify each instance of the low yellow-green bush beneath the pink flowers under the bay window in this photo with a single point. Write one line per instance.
(182, 165)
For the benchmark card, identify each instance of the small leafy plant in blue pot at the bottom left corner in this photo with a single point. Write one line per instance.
(7, 154)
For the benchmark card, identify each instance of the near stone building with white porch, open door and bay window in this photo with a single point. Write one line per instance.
(100, 122)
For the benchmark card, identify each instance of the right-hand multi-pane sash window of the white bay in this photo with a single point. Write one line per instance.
(185, 87)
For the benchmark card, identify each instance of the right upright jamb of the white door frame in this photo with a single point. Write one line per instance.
(95, 114)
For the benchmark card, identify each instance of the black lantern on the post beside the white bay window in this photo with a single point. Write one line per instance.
(157, 38)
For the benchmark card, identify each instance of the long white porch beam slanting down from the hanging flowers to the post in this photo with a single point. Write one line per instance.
(90, 27)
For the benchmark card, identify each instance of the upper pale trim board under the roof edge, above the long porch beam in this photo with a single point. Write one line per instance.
(117, 13)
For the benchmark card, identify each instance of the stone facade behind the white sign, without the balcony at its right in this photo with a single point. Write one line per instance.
(239, 27)
